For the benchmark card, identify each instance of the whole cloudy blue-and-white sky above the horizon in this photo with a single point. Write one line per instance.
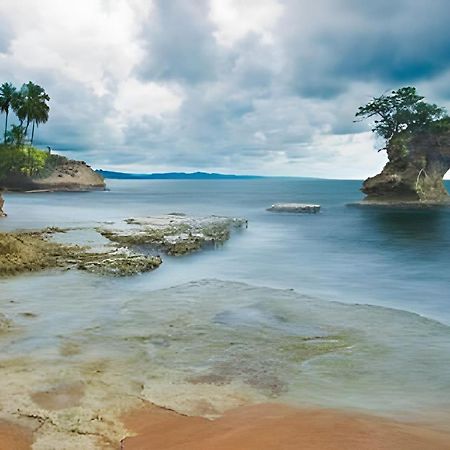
(264, 87)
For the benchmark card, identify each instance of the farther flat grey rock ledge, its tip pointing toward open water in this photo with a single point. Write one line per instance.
(174, 234)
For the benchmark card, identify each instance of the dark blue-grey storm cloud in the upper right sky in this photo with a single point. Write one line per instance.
(387, 42)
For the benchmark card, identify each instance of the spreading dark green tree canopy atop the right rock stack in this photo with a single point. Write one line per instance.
(399, 111)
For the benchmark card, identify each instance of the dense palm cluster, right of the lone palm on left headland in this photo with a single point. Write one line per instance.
(31, 106)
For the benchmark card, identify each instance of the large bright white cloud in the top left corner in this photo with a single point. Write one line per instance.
(82, 41)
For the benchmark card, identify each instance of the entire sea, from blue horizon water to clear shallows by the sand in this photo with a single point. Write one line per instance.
(347, 308)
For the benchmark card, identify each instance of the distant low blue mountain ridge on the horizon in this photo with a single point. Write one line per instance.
(173, 176)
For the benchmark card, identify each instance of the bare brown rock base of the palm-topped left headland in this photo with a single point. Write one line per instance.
(69, 175)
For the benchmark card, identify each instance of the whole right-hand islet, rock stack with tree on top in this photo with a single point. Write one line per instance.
(417, 142)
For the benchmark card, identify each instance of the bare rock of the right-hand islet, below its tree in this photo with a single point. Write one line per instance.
(415, 170)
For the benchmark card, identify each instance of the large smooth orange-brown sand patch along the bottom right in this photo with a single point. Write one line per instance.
(277, 427)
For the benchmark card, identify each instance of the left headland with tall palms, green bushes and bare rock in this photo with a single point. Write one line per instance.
(23, 167)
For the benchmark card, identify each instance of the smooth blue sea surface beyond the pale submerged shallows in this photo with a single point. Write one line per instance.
(399, 259)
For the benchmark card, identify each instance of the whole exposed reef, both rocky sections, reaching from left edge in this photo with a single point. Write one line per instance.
(128, 249)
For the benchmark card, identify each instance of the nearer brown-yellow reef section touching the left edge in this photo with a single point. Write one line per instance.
(33, 251)
